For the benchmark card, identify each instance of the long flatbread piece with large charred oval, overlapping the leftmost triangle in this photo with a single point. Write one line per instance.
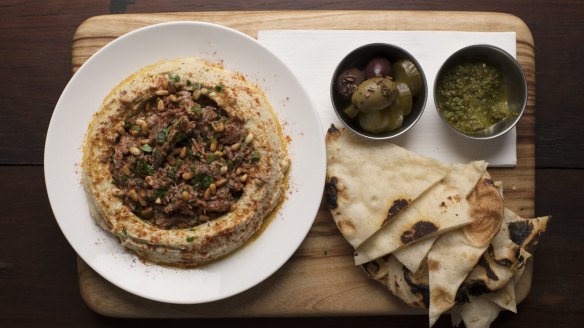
(442, 208)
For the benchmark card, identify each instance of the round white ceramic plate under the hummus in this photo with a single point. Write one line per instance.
(82, 98)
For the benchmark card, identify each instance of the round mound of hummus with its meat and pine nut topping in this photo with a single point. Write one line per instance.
(183, 162)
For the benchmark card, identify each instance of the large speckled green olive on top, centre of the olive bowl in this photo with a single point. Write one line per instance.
(374, 94)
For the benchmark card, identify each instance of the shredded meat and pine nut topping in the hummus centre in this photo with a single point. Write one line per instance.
(180, 160)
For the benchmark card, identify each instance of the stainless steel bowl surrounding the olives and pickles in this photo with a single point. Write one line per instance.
(359, 58)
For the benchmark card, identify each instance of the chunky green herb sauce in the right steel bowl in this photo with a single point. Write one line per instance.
(471, 96)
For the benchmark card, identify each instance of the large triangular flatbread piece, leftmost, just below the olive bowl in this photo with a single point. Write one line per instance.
(369, 183)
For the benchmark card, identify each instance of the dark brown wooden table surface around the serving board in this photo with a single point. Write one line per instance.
(38, 274)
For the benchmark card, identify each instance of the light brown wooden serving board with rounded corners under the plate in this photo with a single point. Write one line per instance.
(320, 279)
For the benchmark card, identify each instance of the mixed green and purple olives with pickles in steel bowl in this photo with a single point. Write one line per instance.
(379, 95)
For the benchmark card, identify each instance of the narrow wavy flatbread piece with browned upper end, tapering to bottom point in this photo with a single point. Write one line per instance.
(454, 254)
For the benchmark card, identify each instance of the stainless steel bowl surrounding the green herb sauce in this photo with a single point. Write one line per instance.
(516, 86)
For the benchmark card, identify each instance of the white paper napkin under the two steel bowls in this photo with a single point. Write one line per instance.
(313, 56)
